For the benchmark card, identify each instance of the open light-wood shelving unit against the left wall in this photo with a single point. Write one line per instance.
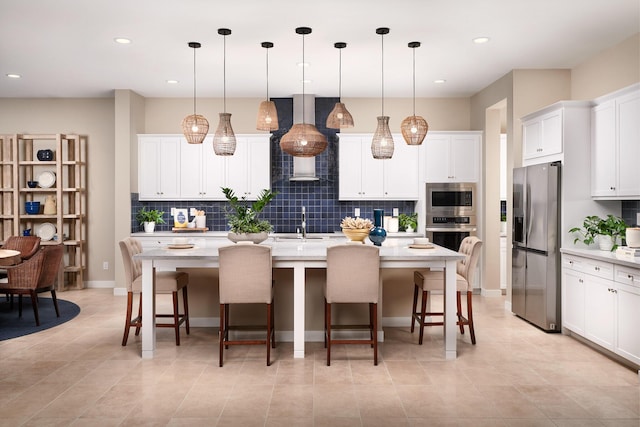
(18, 159)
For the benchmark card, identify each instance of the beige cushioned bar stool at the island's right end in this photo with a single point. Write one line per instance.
(428, 280)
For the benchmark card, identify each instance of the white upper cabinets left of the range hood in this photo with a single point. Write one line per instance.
(169, 168)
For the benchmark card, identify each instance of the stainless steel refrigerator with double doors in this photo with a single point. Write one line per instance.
(535, 253)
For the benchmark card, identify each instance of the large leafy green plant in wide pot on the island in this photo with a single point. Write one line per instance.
(244, 217)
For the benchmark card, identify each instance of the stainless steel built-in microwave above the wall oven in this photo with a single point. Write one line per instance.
(451, 198)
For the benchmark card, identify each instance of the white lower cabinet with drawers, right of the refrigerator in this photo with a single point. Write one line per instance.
(601, 302)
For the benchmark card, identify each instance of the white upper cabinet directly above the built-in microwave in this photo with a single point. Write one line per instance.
(452, 156)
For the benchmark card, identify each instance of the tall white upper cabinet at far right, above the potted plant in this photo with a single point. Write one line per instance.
(615, 147)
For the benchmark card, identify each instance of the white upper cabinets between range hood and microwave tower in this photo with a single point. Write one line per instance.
(364, 178)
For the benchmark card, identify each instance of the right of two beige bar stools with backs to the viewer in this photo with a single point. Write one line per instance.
(353, 276)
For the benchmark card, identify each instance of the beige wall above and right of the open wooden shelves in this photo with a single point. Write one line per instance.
(91, 117)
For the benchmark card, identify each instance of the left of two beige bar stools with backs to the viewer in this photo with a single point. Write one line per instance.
(246, 277)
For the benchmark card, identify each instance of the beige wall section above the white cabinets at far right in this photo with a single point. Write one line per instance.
(610, 70)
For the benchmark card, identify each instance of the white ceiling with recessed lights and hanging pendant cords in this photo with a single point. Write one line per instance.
(65, 48)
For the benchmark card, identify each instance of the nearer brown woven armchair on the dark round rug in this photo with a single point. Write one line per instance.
(33, 276)
